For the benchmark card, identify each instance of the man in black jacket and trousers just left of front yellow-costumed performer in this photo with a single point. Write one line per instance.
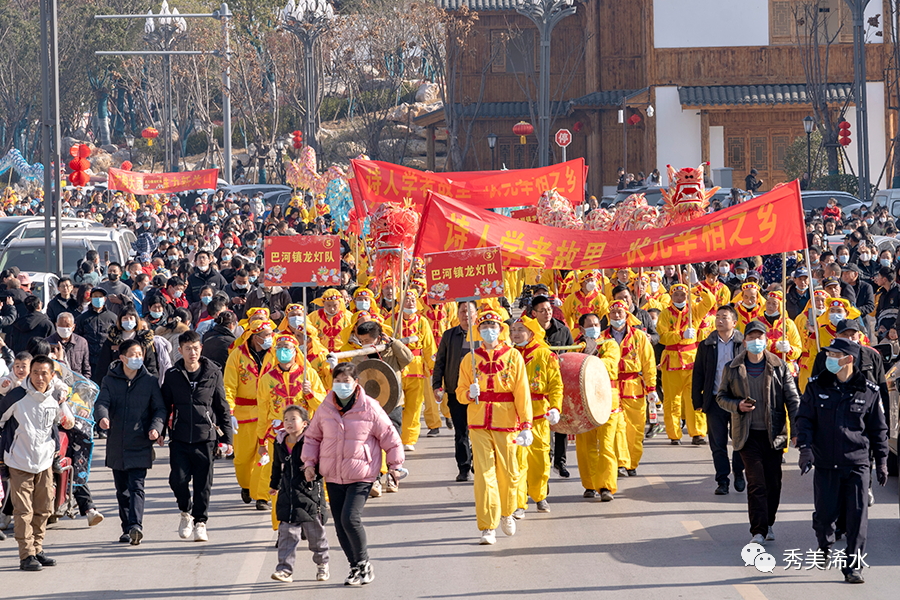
(445, 375)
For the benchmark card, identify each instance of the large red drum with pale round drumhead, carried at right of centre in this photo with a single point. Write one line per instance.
(587, 393)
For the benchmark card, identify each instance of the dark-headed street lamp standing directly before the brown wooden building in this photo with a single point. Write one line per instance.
(545, 14)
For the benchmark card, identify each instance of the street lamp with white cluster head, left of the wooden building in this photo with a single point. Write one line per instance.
(308, 19)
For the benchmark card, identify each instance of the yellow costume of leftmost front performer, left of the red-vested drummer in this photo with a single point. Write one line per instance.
(242, 375)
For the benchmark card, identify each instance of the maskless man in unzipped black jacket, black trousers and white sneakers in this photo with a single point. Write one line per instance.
(194, 395)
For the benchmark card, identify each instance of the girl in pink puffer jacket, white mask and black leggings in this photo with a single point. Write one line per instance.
(344, 440)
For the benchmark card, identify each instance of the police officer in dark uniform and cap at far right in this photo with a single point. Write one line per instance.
(840, 418)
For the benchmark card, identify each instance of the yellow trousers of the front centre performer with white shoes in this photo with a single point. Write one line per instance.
(496, 475)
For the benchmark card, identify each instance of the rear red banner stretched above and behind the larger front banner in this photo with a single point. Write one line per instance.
(386, 182)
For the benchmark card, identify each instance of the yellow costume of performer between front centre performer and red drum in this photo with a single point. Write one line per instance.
(545, 382)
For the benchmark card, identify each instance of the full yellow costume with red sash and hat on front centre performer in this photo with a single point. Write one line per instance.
(503, 409)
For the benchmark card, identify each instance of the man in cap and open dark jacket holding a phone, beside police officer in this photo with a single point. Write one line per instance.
(758, 390)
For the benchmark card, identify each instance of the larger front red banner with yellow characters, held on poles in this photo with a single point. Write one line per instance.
(768, 224)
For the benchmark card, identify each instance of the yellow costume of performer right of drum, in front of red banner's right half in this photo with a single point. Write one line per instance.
(678, 361)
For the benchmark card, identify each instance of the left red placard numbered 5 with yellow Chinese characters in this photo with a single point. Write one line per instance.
(302, 260)
